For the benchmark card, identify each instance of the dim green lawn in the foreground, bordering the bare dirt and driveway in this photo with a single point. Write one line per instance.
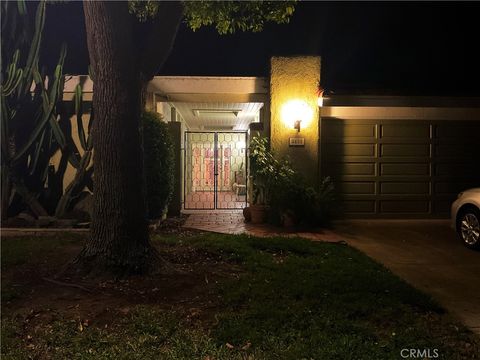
(295, 299)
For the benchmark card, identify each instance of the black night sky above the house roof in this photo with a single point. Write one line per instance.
(403, 48)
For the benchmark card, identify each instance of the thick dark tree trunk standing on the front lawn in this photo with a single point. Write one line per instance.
(119, 241)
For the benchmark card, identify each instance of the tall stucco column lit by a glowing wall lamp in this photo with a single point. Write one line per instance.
(293, 96)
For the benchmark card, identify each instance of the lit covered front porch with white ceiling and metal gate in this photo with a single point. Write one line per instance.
(210, 118)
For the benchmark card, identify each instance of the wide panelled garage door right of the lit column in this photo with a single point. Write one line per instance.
(400, 168)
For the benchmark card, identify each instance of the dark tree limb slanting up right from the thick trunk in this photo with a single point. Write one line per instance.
(162, 36)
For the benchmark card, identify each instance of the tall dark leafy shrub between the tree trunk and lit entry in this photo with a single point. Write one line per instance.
(159, 164)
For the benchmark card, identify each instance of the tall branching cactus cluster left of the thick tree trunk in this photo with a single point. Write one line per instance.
(30, 121)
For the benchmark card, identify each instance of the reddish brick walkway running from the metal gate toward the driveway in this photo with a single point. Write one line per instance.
(232, 222)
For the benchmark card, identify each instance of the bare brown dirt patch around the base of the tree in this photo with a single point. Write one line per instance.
(191, 293)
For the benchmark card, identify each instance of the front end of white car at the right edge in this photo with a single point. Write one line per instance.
(466, 217)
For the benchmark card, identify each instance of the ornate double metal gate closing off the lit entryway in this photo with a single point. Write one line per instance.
(215, 172)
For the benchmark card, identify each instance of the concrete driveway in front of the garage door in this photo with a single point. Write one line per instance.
(427, 254)
